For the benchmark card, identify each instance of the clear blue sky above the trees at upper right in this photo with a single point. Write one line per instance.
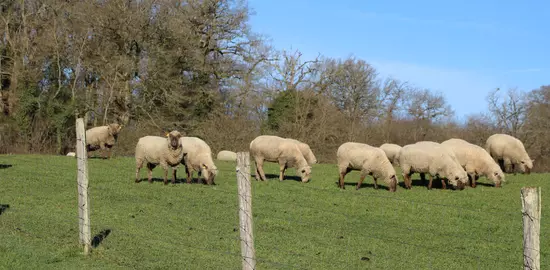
(463, 49)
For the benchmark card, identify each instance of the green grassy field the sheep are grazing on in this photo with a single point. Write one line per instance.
(296, 225)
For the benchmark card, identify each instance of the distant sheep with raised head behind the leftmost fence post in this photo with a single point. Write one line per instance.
(103, 137)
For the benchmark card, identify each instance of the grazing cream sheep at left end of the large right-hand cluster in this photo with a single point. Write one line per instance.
(367, 159)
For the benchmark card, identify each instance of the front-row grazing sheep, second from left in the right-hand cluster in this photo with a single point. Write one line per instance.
(433, 159)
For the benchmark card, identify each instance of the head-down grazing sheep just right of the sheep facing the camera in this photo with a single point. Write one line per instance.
(198, 157)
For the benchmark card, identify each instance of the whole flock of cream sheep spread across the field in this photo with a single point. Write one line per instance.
(456, 161)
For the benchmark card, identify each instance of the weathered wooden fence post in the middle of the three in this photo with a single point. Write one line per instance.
(245, 211)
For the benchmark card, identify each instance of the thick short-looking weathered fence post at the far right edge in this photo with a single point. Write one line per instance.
(531, 209)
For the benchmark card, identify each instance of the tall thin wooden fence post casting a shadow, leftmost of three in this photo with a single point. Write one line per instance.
(83, 201)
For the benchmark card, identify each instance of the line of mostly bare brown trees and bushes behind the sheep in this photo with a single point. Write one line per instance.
(196, 66)
